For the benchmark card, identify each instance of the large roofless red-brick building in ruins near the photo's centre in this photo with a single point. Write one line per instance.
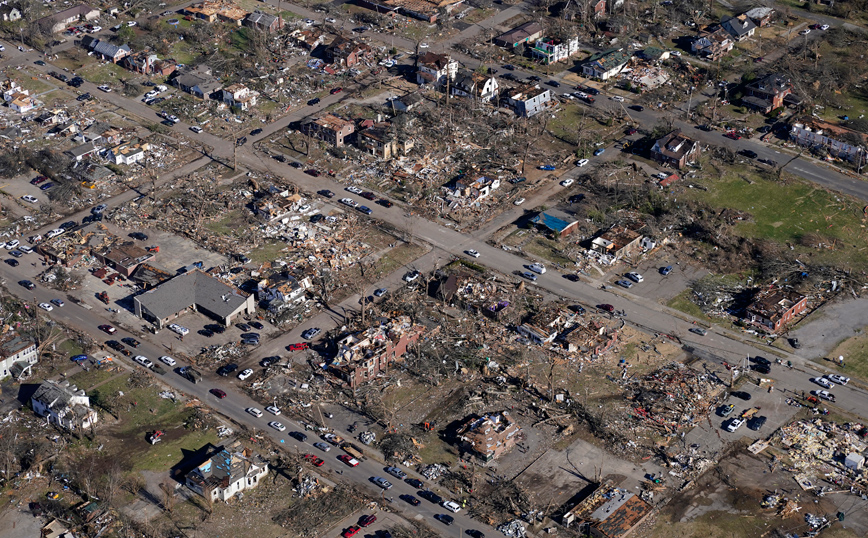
(362, 356)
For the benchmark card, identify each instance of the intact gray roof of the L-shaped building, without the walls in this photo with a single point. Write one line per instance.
(193, 288)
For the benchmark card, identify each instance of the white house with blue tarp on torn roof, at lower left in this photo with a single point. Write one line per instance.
(227, 472)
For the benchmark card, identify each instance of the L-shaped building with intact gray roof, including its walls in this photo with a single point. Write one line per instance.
(194, 291)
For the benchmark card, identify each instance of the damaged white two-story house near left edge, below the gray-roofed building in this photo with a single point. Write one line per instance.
(63, 405)
